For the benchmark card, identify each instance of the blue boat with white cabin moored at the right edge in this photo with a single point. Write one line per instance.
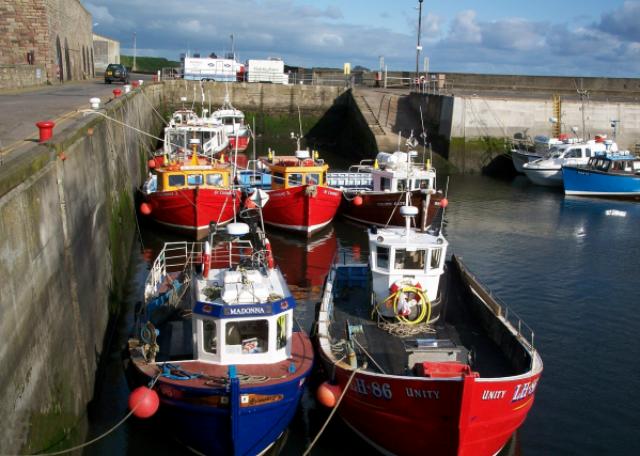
(616, 175)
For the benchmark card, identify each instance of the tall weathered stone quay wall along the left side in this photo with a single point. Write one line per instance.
(67, 224)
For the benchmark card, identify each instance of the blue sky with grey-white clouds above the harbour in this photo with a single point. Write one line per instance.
(561, 37)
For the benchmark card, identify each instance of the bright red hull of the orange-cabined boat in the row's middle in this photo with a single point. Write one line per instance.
(304, 209)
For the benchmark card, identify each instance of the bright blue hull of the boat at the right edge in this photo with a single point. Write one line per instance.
(580, 181)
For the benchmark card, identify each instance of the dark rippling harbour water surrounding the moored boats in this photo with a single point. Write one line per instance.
(567, 266)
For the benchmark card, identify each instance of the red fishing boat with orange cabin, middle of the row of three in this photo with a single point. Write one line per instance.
(299, 198)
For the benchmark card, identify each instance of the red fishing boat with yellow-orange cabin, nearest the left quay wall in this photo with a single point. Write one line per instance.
(188, 194)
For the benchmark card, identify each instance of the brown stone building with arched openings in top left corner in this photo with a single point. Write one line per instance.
(44, 41)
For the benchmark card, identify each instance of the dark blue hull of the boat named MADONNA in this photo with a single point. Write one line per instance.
(231, 430)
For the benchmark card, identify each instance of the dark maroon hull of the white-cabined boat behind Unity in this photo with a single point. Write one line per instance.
(378, 207)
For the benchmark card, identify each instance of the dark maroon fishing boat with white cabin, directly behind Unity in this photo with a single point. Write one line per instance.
(374, 190)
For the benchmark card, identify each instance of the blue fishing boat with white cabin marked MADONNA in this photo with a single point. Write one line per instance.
(215, 342)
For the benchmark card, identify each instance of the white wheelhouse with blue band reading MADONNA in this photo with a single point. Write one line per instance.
(242, 315)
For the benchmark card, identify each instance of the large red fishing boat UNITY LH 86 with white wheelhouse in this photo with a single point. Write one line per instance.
(420, 356)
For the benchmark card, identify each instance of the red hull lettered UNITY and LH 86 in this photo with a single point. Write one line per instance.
(463, 416)
